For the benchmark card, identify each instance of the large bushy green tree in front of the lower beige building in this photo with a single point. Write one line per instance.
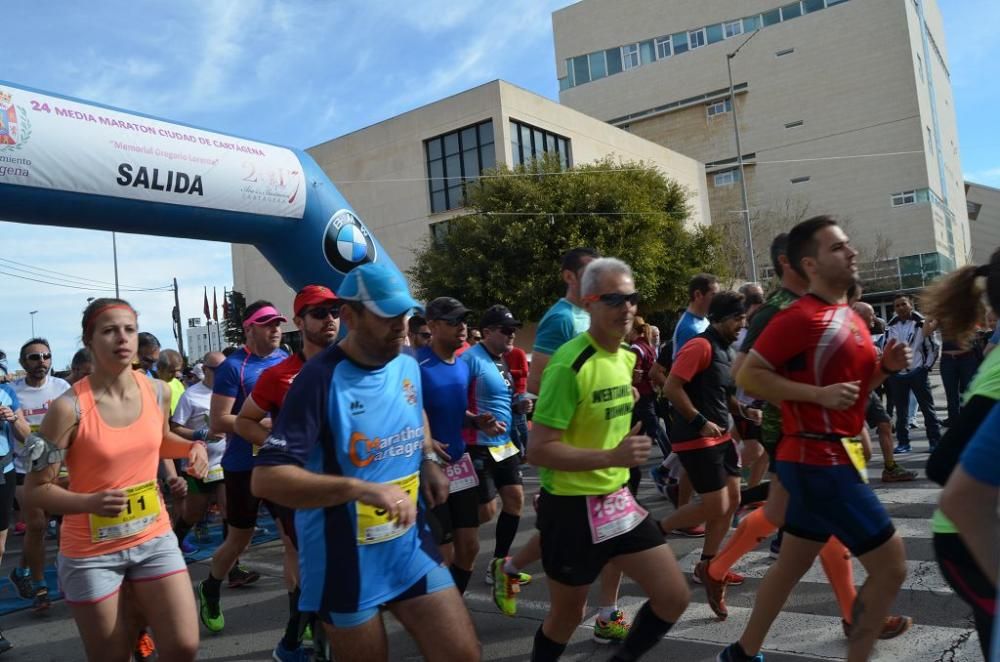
(523, 220)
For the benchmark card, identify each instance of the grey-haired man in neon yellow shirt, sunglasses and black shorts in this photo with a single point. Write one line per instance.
(581, 441)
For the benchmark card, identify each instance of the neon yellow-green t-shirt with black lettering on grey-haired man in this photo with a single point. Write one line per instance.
(587, 393)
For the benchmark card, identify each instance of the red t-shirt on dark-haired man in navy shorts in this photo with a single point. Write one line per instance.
(814, 342)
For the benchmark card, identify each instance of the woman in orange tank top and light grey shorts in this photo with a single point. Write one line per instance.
(113, 425)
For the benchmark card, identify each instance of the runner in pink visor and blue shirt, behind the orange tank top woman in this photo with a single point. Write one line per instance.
(234, 380)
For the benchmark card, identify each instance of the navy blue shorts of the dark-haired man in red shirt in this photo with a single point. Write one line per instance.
(832, 501)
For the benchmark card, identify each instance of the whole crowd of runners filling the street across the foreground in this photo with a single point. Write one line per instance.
(397, 431)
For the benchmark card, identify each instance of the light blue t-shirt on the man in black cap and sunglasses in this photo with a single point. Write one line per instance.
(491, 389)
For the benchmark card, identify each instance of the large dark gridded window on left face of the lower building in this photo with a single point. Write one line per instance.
(455, 158)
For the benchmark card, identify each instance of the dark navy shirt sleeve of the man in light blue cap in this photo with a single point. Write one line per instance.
(302, 423)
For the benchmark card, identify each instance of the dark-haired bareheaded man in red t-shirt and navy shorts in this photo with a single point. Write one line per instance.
(816, 358)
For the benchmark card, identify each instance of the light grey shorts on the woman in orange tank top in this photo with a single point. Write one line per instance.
(91, 579)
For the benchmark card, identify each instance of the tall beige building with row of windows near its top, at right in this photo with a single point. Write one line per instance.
(844, 107)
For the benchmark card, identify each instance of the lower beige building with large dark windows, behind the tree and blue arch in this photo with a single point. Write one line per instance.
(404, 175)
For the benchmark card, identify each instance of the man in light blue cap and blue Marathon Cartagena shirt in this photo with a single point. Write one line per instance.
(349, 453)
